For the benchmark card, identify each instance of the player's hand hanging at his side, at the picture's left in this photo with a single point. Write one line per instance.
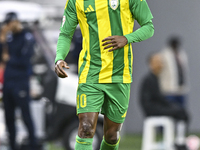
(60, 64)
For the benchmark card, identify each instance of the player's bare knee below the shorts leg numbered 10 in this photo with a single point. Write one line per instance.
(86, 130)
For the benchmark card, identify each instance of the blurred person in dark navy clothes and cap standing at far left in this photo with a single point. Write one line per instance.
(16, 47)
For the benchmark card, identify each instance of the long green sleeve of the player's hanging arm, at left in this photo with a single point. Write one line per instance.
(67, 29)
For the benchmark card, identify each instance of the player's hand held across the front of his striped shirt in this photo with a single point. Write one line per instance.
(115, 42)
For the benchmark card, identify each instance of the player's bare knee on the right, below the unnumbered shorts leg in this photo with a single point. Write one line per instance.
(111, 137)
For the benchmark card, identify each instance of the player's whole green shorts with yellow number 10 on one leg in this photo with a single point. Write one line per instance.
(111, 99)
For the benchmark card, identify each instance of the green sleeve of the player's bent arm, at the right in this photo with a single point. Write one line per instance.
(141, 12)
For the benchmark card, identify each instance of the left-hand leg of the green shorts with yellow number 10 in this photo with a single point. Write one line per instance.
(90, 98)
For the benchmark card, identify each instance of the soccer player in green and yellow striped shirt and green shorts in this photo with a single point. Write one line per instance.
(105, 62)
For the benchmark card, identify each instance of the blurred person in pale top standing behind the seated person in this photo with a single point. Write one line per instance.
(174, 77)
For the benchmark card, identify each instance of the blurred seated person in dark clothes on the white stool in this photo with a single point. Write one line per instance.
(154, 103)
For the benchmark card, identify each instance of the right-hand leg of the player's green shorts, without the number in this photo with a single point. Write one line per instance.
(116, 102)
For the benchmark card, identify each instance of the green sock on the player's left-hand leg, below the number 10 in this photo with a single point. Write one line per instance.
(83, 144)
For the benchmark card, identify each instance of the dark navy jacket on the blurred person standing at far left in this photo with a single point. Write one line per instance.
(20, 49)
